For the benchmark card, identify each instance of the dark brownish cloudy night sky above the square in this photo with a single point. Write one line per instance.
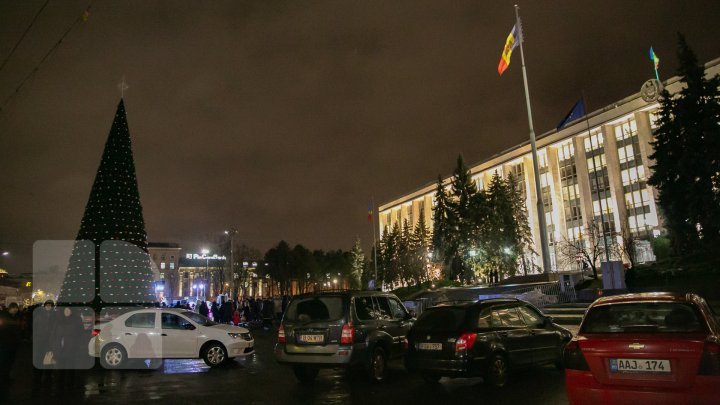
(283, 118)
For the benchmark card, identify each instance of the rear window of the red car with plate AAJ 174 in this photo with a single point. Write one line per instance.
(643, 317)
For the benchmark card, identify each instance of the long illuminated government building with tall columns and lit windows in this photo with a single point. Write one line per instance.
(615, 149)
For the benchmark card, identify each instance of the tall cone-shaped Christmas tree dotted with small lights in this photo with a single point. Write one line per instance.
(109, 264)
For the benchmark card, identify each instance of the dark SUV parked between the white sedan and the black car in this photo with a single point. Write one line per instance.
(342, 329)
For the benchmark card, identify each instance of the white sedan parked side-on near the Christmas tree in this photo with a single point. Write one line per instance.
(167, 333)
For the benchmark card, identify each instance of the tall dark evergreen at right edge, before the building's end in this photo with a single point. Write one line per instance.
(687, 157)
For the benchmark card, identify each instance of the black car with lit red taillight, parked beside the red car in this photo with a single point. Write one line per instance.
(487, 338)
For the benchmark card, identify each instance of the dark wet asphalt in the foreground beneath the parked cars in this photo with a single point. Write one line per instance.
(259, 380)
